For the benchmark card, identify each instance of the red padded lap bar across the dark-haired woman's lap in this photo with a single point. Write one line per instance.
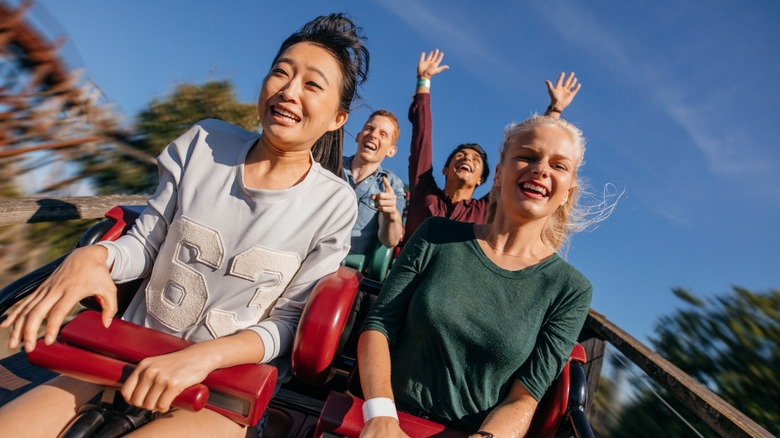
(240, 393)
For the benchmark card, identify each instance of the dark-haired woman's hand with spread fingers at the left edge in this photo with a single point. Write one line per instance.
(82, 274)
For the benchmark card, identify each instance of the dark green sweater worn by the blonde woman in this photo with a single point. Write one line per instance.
(462, 329)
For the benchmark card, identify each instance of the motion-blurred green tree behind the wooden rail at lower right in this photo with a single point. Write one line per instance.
(731, 344)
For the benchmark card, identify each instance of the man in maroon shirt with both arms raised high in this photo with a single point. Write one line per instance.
(467, 166)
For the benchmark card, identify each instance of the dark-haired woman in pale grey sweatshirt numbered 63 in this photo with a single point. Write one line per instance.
(241, 227)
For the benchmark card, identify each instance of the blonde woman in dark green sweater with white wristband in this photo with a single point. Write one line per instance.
(477, 347)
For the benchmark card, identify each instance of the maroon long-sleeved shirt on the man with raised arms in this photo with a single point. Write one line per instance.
(426, 199)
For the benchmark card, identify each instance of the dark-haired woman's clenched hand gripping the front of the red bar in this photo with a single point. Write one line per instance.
(157, 380)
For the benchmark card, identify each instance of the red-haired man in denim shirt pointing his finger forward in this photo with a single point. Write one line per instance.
(380, 192)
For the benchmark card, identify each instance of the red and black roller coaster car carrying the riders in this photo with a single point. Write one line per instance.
(316, 402)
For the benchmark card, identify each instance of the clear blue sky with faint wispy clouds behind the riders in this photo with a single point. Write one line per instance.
(679, 104)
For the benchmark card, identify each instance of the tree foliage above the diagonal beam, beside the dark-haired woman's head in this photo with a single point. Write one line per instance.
(168, 118)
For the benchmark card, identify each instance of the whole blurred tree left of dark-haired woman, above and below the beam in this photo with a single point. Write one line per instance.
(160, 123)
